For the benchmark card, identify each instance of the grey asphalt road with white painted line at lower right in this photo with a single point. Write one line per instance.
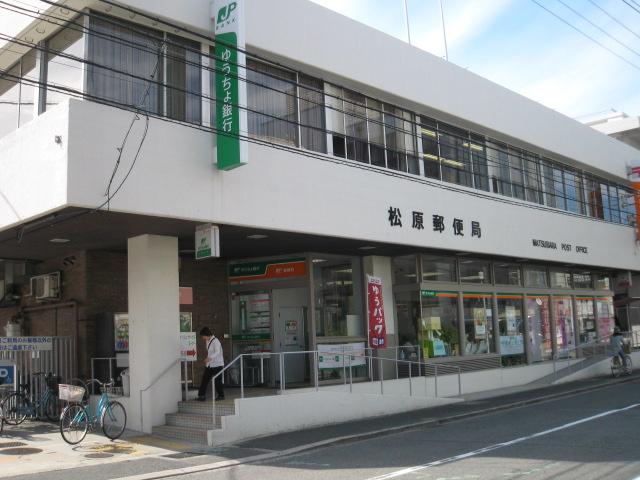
(594, 435)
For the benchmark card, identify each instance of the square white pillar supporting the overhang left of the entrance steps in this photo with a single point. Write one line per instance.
(154, 345)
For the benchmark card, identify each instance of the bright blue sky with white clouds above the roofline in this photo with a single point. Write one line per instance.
(519, 45)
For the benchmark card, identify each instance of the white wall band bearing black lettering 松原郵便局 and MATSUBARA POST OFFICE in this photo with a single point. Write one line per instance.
(175, 177)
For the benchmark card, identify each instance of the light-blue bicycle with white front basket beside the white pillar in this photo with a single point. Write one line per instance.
(76, 418)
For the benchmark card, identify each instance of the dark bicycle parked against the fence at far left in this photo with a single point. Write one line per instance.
(19, 405)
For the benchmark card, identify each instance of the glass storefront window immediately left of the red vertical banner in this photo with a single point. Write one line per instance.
(338, 297)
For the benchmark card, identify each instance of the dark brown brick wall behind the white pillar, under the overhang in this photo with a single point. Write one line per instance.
(96, 282)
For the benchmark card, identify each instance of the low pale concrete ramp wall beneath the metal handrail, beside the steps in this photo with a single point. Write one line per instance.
(304, 408)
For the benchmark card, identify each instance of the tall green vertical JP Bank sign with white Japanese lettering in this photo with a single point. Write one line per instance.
(230, 92)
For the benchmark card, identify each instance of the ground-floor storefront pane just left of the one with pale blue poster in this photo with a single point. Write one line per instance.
(478, 324)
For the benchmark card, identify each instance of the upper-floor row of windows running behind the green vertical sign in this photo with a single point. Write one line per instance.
(162, 74)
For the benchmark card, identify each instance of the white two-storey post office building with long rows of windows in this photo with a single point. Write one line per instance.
(498, 227)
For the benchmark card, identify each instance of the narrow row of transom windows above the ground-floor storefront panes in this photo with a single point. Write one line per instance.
(411, 269)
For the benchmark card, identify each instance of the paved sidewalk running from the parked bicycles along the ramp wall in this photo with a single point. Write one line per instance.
(42, 454)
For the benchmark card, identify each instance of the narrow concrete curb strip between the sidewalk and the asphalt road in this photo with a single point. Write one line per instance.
(375, 433)
